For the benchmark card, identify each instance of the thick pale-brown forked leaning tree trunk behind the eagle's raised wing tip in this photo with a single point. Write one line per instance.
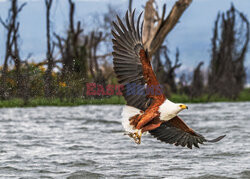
(156, 28)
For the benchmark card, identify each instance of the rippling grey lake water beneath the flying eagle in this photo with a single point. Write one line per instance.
(88, 142)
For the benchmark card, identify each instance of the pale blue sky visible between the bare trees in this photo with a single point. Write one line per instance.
(192, 35)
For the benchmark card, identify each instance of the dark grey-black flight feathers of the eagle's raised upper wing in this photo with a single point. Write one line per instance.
(126, 59)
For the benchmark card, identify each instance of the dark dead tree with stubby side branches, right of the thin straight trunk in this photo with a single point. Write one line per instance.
(73, 50)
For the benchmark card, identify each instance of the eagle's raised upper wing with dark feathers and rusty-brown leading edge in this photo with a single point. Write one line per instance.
(131, 64)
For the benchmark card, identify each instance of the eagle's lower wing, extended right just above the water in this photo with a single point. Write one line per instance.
(175, 131)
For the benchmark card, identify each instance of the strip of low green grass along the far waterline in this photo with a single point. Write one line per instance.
(33, 102)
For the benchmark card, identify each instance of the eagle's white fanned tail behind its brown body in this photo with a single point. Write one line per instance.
(127, 113)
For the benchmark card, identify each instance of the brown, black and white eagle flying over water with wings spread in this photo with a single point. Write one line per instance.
(147, 109)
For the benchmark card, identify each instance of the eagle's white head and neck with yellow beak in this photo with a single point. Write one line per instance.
(168, 109)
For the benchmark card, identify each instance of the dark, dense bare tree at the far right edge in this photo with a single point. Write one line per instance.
(229, 45)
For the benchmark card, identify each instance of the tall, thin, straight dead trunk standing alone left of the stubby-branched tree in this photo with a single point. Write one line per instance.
(49, 54)
